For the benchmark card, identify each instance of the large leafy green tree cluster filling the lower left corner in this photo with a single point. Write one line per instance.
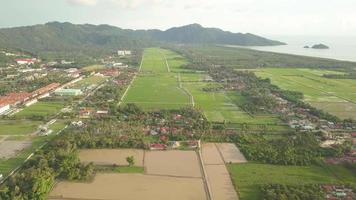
(35, 179)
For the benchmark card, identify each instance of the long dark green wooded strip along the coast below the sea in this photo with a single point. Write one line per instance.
(241, 58)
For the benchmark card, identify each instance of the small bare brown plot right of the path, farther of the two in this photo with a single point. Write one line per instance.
(230, 153)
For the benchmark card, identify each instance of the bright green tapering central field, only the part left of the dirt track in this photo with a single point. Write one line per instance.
(155, 87)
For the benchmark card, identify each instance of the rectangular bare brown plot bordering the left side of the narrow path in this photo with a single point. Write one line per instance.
(173, 163)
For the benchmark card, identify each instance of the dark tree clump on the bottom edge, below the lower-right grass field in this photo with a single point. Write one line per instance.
(288, 192)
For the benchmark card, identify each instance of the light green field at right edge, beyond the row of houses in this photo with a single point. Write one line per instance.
(337, 96)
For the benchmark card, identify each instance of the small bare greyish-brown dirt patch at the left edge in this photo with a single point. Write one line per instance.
(9, 149)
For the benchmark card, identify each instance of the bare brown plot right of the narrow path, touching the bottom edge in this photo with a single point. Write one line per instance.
(220, 183)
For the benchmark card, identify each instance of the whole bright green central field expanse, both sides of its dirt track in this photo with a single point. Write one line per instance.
(160, 86)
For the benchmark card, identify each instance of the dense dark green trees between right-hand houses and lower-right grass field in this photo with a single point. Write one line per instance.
(298, 149)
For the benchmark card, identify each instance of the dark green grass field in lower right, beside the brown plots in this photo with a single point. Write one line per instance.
(249, 177)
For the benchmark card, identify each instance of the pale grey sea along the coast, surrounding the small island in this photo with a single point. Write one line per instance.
(341, 48)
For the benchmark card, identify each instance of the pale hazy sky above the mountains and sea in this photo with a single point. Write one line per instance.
(264, 17)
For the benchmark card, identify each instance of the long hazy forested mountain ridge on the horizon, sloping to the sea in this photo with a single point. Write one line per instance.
(56, 36)
